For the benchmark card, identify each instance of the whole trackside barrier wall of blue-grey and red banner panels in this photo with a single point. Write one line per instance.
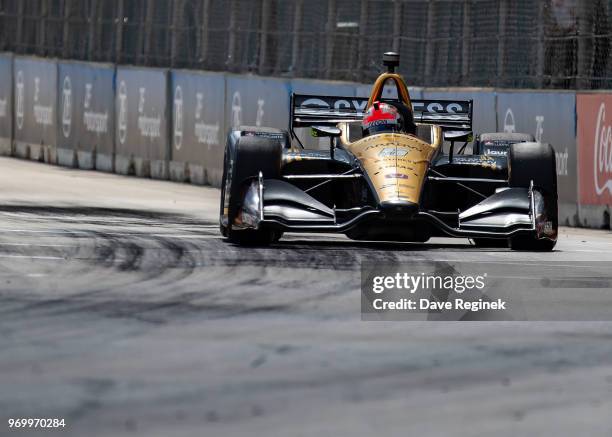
(171, 124)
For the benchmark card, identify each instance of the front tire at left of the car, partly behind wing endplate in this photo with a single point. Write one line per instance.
(243, 161)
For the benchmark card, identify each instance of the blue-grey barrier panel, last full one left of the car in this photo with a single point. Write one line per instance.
(198, 126)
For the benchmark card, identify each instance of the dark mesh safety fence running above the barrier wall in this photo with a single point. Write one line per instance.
(563, 44)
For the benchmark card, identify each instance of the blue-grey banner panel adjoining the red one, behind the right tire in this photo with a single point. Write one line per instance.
(550, 118)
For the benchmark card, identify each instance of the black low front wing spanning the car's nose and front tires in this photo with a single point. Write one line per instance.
(279, 205)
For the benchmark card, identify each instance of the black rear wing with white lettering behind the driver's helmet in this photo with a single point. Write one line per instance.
(453, 116)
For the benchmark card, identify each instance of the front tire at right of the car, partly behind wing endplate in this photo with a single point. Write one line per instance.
(535, 162)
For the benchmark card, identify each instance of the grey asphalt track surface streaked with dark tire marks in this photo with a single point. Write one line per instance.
(124, 312)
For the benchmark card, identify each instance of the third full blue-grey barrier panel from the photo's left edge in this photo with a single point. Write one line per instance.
(142, 130)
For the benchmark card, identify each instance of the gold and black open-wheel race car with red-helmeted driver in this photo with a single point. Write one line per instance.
(392, 169)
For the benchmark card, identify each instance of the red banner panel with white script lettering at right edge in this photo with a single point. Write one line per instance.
(594, 112)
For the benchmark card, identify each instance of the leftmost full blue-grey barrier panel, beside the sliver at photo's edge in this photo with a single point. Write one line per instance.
(35, 106)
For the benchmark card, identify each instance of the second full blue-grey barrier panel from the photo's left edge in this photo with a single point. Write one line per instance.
(86, 135)
